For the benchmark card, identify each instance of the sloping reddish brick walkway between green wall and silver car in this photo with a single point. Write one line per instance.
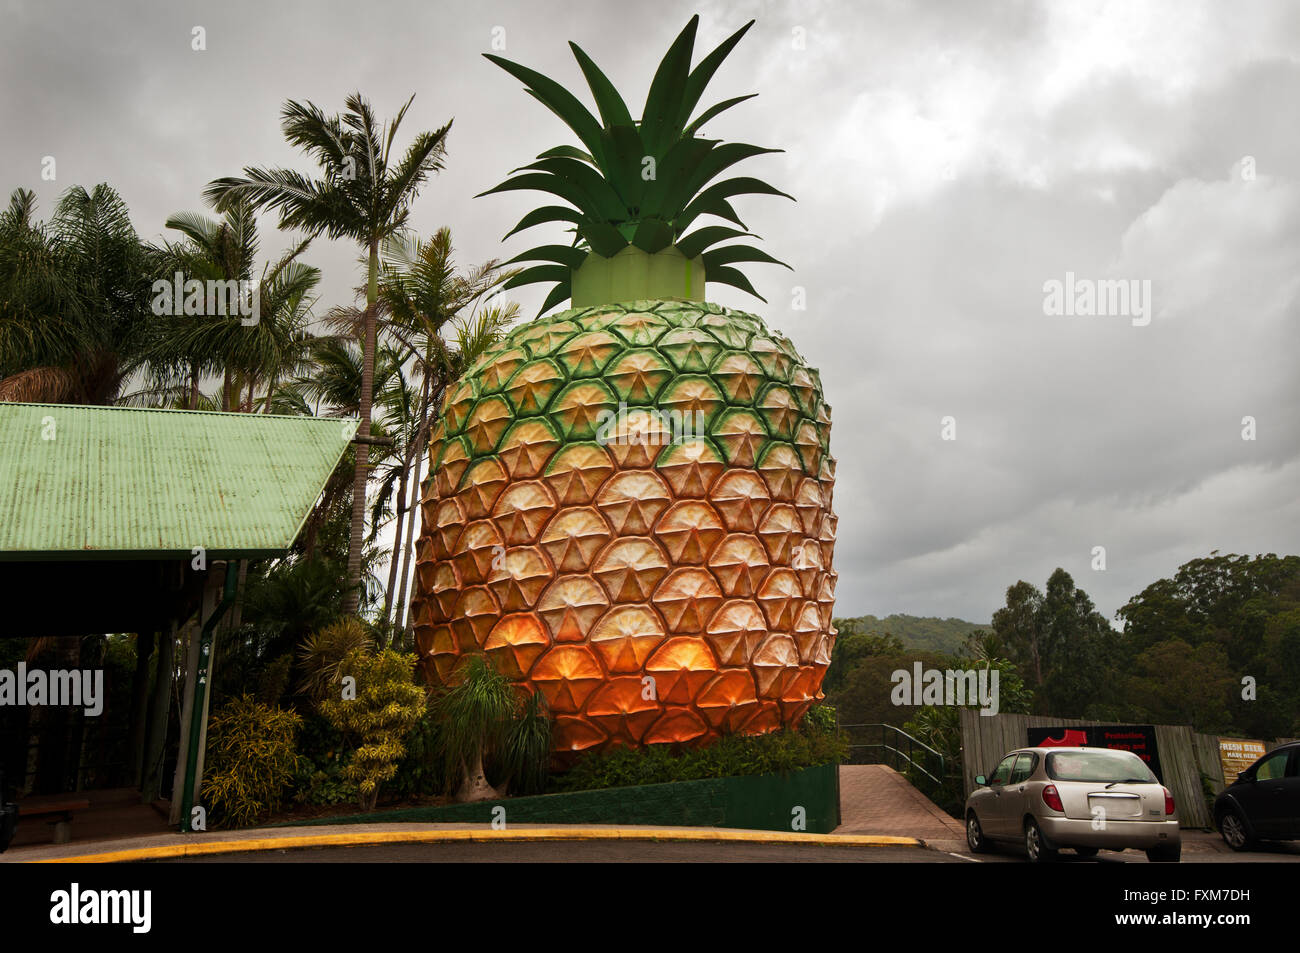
(876, 799)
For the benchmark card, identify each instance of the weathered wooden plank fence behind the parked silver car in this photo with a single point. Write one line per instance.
(1185, 756)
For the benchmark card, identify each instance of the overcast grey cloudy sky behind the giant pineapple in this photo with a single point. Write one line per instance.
(948, 159)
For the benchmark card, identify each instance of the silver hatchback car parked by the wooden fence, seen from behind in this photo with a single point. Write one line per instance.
(1084, 799)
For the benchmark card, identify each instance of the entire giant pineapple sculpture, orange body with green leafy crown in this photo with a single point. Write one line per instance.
(630, 501)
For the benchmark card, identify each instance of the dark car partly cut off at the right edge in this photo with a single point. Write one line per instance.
(1264, 802)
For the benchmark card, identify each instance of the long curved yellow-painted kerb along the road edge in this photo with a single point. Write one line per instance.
(518, 835)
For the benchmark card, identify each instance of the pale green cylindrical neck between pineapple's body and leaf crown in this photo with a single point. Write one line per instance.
(635, 275)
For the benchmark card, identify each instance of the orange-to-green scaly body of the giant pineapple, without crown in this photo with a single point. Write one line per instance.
(629, 509)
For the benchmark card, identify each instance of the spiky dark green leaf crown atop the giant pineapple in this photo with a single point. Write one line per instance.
(638, 184)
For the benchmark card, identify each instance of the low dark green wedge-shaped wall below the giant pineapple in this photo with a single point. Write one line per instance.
(759, 803)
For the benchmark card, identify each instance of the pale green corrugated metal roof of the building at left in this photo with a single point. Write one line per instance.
(118, 482)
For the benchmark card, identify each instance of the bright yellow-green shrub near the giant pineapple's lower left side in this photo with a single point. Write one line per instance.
(385, 708)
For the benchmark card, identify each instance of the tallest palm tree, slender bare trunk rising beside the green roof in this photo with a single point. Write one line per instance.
(365, 194)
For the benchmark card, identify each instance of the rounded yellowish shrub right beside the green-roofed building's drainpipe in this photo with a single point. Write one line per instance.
(250, 761)
